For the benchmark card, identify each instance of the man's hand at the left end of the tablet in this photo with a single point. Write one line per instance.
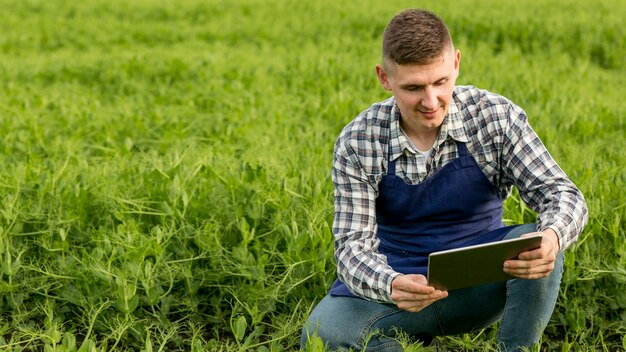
(411, 292)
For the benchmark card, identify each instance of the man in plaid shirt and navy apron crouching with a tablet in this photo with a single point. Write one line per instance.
(427, 170)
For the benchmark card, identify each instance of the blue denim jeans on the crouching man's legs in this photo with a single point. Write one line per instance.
(523, 308)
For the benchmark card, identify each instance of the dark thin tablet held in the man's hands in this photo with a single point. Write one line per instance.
(476, 265)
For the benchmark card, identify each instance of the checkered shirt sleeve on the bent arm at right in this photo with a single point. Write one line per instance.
(541, 182)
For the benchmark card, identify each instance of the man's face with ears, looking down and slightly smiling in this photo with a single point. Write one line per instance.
(423, 92)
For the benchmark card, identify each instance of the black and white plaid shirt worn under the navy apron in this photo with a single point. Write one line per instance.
(497, 135)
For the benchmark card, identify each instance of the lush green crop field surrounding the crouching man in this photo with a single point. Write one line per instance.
(165, 166)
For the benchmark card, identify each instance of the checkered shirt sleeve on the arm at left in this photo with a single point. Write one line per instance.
(359, 265)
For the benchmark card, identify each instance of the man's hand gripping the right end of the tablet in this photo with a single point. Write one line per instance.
(536, 263)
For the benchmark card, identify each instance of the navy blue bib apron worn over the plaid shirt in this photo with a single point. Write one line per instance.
(455, 207)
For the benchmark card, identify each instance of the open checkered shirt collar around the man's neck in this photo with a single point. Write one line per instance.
(452, 127)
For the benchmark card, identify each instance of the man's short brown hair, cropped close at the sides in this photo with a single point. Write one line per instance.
(415, 37)
